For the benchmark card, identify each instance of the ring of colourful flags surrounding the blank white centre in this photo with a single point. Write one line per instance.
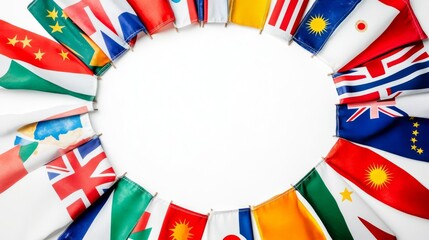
(55, 174)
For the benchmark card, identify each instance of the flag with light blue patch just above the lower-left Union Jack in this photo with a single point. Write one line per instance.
(39, 143)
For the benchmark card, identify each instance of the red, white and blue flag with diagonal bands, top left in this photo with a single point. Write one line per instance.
(92, 17)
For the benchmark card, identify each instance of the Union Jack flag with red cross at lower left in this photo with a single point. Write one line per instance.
(81, 176)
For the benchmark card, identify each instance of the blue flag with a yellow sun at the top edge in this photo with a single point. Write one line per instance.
(321, 21)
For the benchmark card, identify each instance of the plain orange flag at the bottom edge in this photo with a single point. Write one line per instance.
(285, 217)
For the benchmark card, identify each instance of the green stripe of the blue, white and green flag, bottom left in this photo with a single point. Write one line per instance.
(129, 203)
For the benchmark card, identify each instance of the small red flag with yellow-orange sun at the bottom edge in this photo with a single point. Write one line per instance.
(181, 223)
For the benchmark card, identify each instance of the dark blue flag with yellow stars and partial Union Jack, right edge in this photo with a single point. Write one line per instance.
(378, 127)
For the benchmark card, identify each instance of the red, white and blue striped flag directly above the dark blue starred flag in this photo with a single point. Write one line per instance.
(404, 70)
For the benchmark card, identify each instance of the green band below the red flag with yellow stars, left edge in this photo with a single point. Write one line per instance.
(19, 77)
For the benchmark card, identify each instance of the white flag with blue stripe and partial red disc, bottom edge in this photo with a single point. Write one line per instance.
(235, 224)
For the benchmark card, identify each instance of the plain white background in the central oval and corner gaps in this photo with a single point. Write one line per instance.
(216, 118)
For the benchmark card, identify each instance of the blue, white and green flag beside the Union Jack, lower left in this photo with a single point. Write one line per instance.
(113, 216)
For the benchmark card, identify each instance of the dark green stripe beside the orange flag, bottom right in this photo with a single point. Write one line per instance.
(314, 190)
